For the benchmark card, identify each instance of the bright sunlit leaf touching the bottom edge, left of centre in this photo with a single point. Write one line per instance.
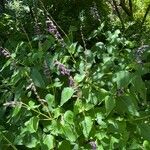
(48, 141)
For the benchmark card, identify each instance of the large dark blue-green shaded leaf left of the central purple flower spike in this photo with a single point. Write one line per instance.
(37, 78)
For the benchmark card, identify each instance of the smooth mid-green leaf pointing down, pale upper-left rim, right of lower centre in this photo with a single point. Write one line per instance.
(109, 104)
